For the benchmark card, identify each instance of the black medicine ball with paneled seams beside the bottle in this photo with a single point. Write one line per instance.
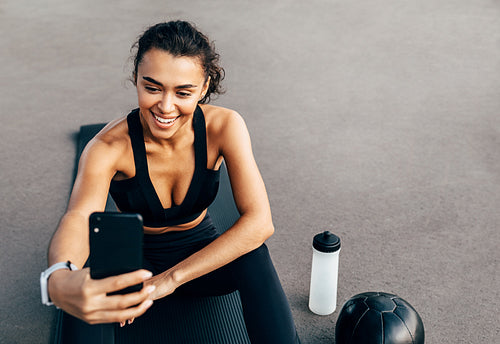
(378, 318)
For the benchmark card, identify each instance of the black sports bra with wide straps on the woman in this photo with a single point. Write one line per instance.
(138, 195)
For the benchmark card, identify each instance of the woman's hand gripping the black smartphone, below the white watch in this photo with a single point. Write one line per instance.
(79, 295)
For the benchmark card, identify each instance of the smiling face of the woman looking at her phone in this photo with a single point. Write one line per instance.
(168, 90)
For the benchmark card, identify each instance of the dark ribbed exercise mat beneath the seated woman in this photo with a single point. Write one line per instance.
(171, 320)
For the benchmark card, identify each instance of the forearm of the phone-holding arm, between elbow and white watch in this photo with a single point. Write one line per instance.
(70, 241)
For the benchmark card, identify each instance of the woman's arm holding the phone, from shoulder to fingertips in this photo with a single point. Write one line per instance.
(75, 291)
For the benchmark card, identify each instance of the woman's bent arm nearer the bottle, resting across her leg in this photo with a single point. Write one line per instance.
(255, 223)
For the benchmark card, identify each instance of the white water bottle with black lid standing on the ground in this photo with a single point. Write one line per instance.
(324, 273)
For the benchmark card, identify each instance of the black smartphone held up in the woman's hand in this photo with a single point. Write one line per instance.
(115, 245)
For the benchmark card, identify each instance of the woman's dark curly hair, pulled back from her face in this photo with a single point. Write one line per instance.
(181, 38)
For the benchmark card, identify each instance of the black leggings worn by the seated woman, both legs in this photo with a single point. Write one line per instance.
(266, 312)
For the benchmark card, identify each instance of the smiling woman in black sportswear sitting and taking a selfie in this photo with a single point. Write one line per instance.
(162, 161)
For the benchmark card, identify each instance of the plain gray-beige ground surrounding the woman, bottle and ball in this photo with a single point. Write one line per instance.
(377, 120)
